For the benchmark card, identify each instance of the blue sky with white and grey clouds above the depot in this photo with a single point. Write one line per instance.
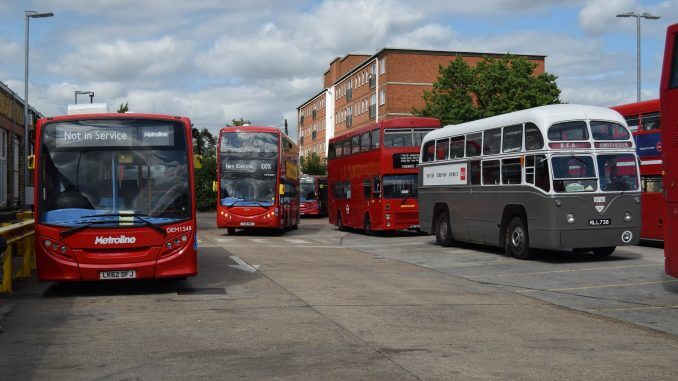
(216, 60)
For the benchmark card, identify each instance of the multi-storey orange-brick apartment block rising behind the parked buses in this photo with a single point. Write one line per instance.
(361, 89)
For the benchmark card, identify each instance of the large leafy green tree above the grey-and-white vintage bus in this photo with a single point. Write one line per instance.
(493, 86)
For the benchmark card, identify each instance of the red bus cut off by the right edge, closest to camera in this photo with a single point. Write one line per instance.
(668, 106)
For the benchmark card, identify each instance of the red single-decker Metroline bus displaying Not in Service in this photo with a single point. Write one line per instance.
(113, 197)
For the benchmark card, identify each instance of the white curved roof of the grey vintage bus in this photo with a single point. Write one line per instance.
(542, 116)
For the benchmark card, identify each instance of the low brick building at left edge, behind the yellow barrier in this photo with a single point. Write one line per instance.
(12, 157)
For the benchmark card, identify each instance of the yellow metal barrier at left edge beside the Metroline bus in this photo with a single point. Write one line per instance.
(20, 242)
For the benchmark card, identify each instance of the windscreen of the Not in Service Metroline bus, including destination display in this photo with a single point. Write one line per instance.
(101, 167)
